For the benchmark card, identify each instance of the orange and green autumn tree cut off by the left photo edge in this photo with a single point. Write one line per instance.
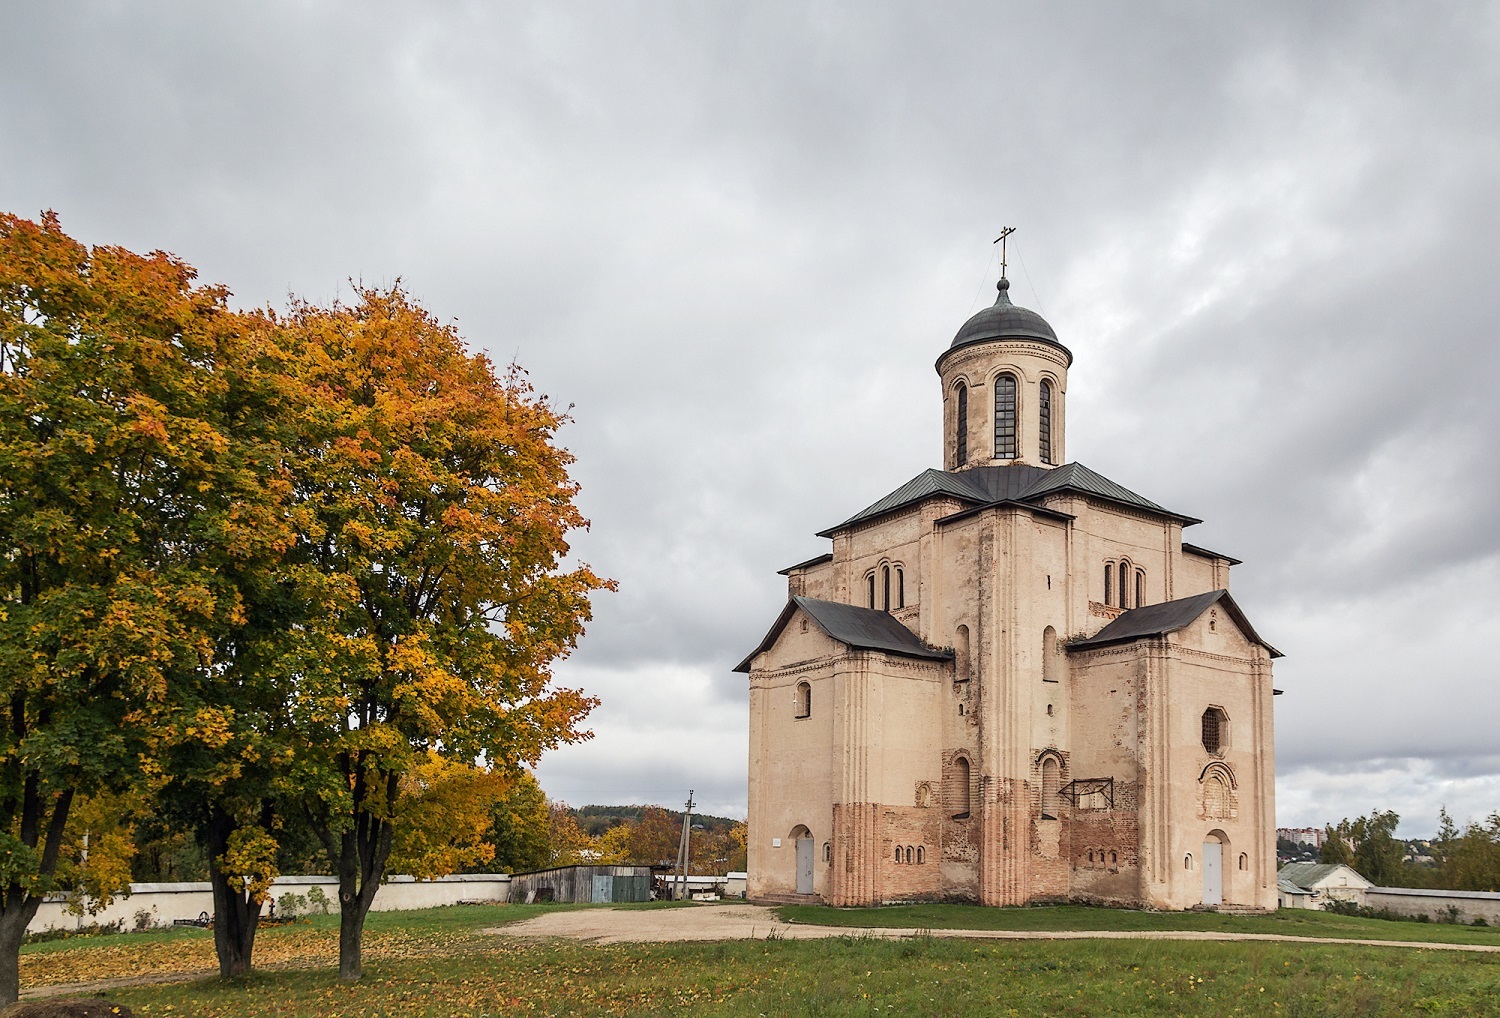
(127, 506)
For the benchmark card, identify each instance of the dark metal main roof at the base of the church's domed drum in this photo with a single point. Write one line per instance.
(1016, 484)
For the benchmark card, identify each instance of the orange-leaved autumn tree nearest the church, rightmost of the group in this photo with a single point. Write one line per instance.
(437, 516)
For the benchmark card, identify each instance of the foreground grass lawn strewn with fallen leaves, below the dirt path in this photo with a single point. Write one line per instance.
(437, 965)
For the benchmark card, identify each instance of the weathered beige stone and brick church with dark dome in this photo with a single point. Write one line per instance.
(1012, 680)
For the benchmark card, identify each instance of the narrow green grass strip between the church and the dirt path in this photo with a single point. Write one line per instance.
(1297, 923)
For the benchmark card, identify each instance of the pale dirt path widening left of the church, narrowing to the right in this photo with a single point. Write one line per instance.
(754, 923)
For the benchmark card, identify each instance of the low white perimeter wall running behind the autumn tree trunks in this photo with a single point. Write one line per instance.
(169, 902)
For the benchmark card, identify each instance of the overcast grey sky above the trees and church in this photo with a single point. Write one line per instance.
(736, 238)
